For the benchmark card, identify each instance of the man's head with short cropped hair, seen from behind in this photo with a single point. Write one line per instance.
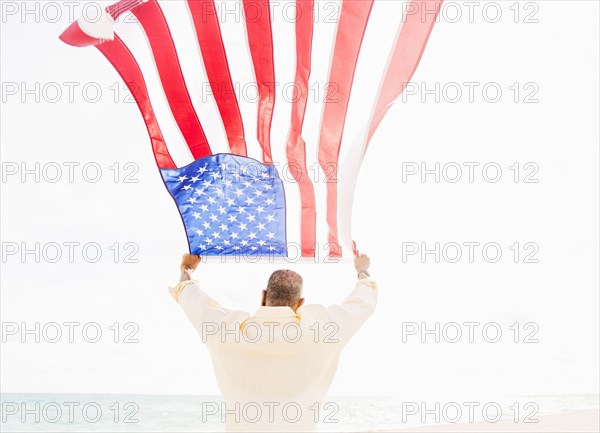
(284, 289)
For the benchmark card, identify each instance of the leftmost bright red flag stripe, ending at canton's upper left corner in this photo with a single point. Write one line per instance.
(123, 61)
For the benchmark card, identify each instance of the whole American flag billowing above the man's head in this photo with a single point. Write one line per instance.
(251, 176)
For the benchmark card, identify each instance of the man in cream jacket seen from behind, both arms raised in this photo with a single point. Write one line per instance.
(274, 367)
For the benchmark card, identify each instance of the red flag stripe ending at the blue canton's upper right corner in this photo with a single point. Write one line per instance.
(257, 15)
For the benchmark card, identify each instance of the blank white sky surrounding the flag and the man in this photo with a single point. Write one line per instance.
(559, 213)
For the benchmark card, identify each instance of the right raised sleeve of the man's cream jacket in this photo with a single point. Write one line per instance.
(342, 321)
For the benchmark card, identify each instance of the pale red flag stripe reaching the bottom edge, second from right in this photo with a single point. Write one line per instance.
(351, 29)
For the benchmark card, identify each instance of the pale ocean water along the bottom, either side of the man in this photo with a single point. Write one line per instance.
(171, 413)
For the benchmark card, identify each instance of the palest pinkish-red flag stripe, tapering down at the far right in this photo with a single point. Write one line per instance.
(408, 50)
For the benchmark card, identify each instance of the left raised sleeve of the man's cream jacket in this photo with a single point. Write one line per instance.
(207, 315)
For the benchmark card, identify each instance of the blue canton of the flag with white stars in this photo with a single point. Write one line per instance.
(230, 205)
